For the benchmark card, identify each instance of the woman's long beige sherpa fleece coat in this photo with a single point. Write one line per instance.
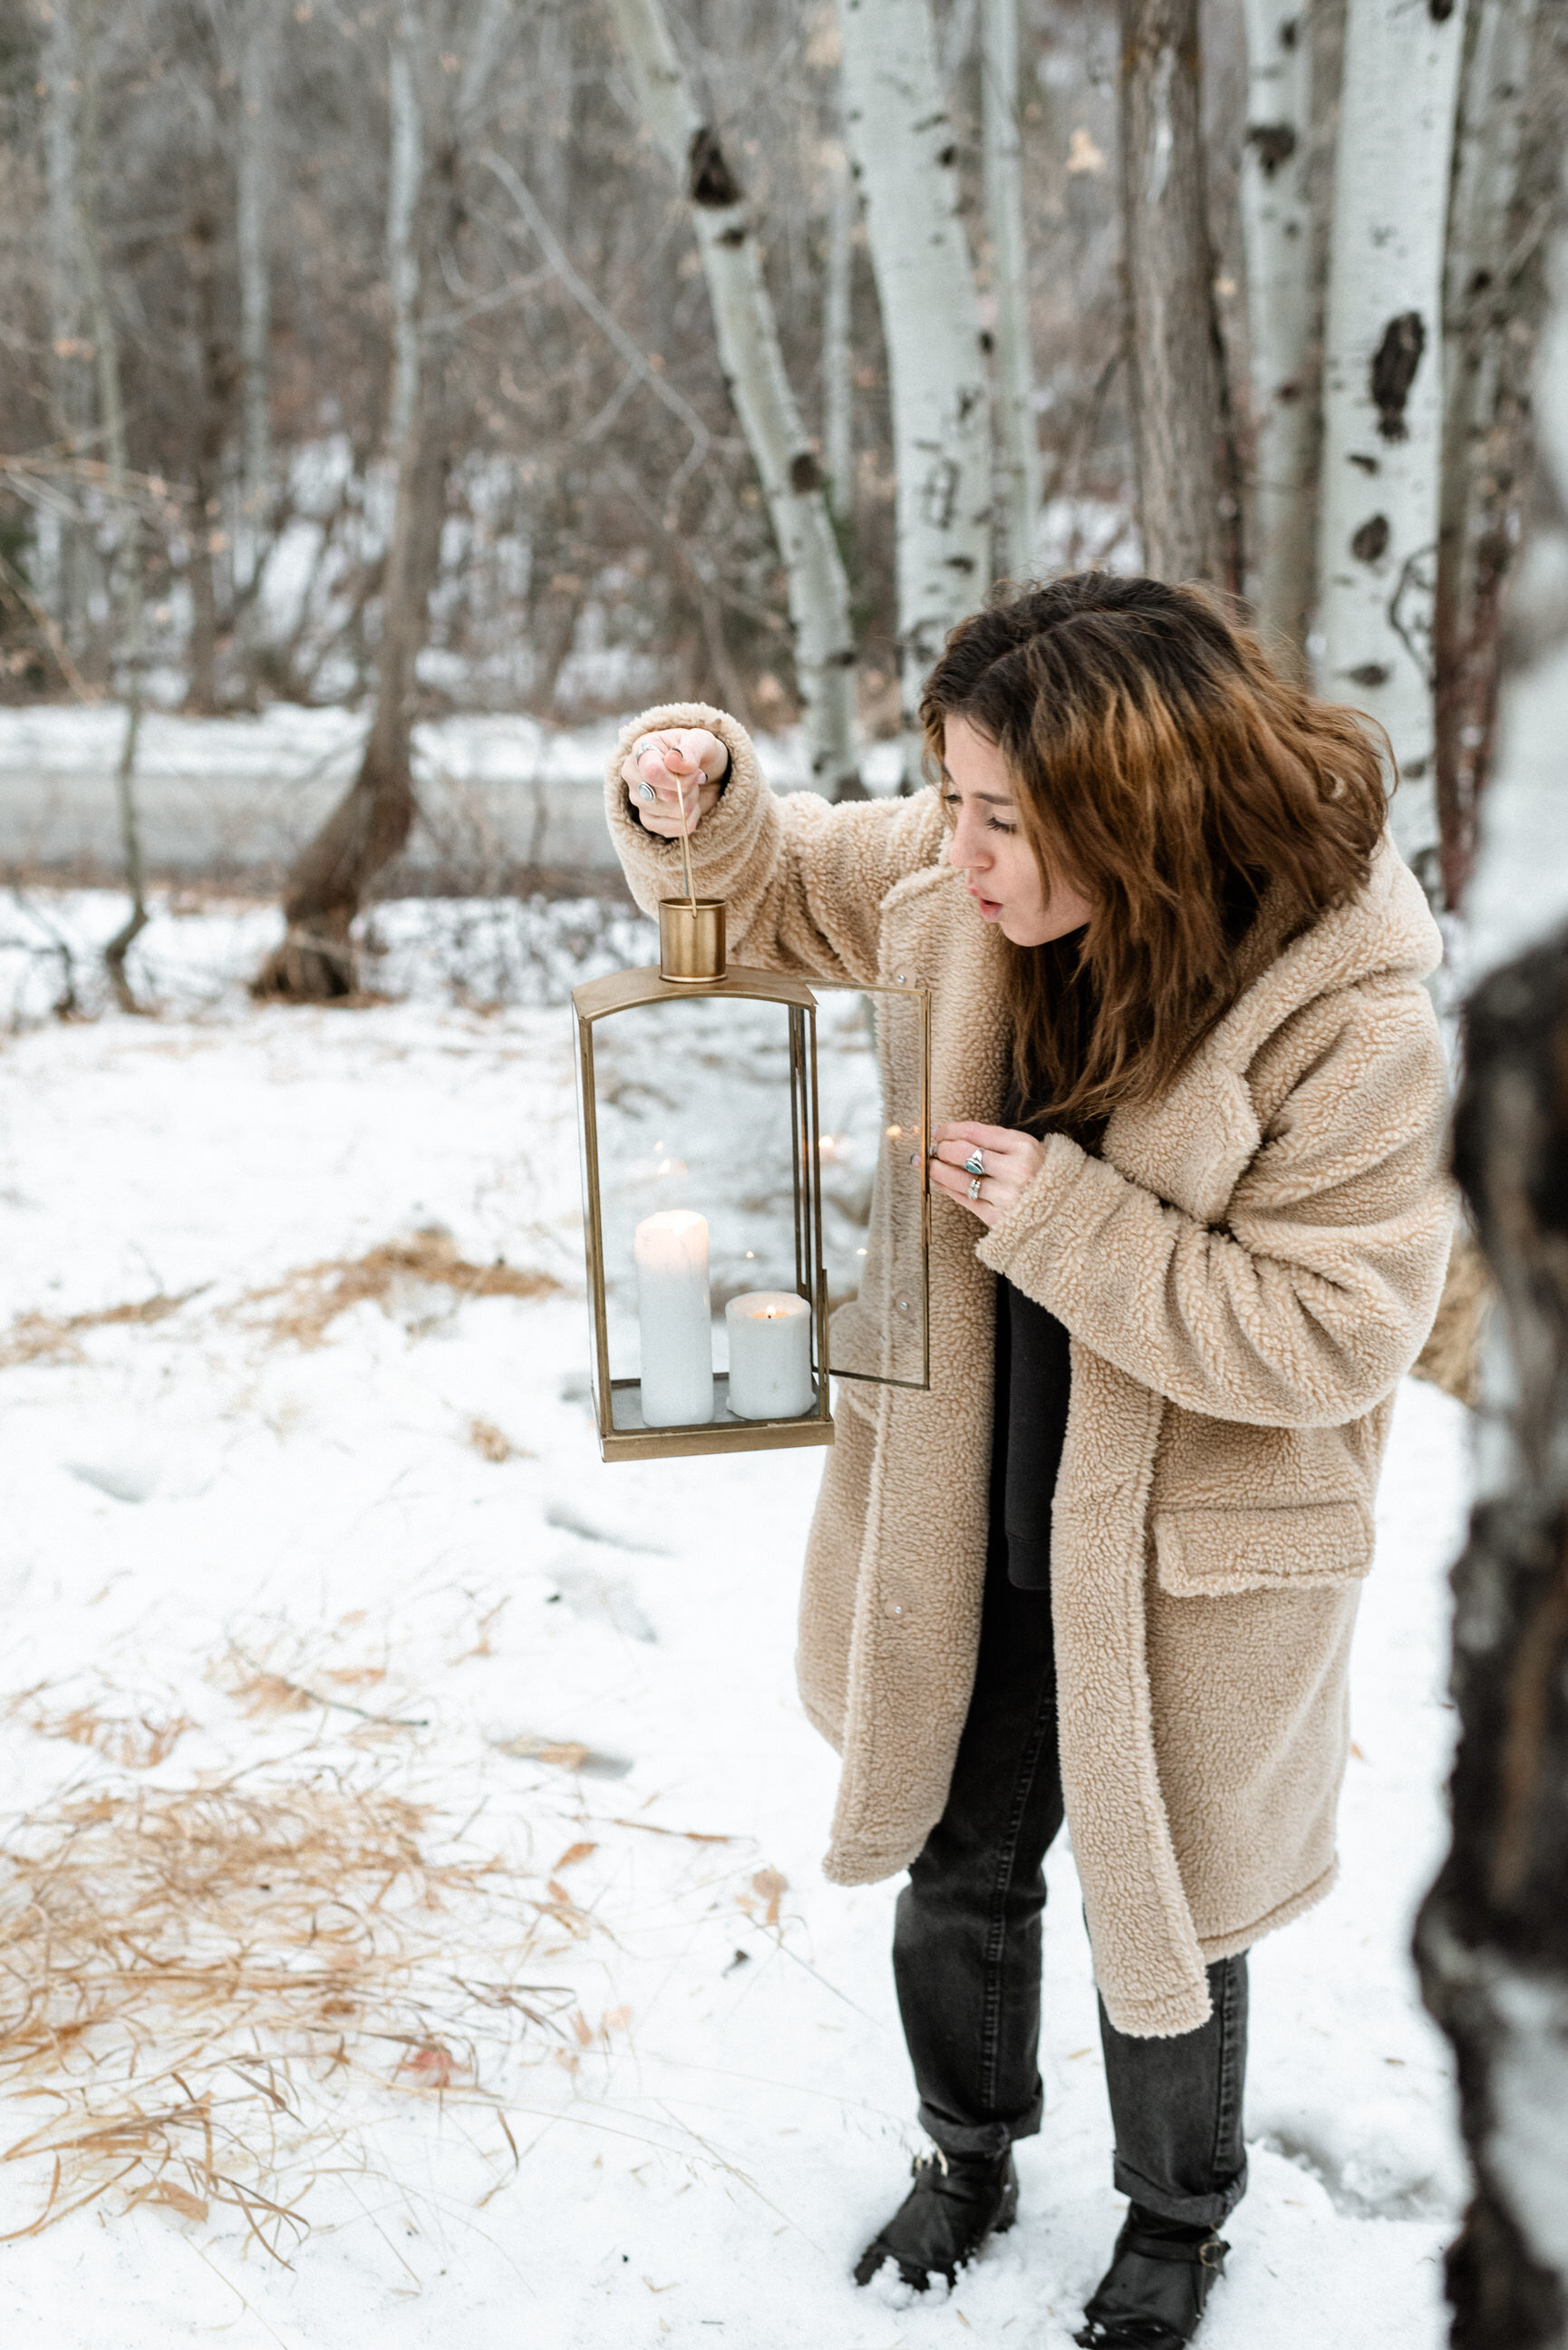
(1247, 1273)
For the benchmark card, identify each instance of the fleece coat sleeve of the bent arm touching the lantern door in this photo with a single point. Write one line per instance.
(1318, 1291)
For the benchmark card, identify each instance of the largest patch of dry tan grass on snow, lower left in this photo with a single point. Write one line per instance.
(189, 1982)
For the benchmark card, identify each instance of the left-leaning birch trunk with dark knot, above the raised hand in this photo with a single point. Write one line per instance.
(793, 481)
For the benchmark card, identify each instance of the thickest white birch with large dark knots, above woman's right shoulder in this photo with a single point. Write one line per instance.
(1383, 389)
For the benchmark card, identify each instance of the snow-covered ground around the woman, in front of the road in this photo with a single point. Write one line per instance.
(394, 1566)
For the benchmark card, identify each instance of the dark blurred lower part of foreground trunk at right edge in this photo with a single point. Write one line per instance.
(1494, 1931)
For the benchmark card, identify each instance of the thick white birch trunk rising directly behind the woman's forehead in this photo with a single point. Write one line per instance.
(904, 152)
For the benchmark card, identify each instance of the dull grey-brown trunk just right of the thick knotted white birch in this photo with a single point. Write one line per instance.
(1492, 316)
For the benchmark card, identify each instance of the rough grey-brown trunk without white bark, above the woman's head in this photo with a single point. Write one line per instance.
(1172, 330)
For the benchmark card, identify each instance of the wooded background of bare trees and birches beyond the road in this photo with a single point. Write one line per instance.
(530, 356)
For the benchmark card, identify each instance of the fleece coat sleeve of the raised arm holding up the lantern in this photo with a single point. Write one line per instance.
(803, 880)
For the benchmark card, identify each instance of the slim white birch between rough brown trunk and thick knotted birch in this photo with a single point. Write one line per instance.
(1282, 311)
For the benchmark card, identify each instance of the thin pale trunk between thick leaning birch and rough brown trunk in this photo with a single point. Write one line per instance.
(1017, 438)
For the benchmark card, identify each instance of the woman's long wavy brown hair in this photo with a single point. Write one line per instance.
(1174, 777)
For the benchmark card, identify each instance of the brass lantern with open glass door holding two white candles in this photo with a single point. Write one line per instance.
(739, 1174)
